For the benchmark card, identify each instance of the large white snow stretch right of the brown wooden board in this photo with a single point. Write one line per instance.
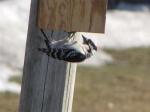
(128, 26)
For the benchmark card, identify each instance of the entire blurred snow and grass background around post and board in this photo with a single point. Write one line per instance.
(116, 79)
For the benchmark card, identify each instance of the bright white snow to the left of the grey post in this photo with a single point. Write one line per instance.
(13, 28)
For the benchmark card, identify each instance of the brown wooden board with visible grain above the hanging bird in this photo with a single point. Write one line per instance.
(72, 15)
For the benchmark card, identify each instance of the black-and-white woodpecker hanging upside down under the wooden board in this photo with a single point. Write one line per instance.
(69, 51)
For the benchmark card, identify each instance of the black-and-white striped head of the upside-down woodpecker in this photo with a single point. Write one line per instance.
(90, 43)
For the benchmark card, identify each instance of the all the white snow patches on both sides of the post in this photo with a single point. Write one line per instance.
(127, 26)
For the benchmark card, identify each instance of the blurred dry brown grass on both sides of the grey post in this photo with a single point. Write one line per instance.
(119, 87)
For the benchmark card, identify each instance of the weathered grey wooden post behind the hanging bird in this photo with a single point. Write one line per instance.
(47, 84)
